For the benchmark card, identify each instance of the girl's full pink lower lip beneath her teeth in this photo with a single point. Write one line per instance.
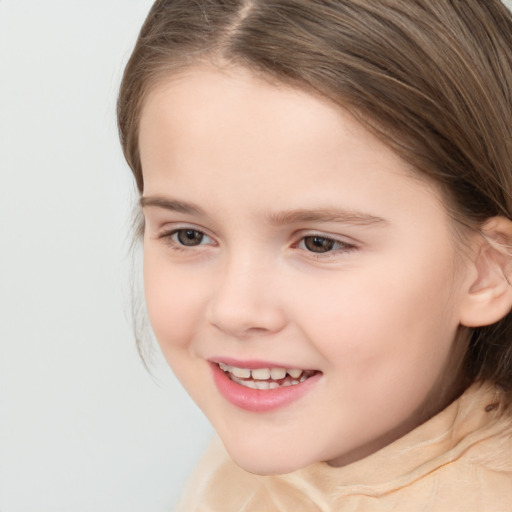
(259, 400)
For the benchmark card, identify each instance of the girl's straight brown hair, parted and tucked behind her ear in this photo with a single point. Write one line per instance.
(433, 79)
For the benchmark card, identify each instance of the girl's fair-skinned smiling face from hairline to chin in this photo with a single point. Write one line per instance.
(303, 285)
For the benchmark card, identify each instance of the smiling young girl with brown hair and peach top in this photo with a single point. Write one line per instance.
(326, 189)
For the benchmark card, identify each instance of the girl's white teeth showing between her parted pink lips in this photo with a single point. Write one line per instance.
(266, 378)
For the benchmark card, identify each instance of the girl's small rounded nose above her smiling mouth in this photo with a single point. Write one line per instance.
(246, 299)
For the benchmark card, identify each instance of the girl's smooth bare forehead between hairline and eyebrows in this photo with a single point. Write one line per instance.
(215, 126)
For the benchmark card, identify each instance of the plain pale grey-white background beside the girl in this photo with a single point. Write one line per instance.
(83, 427)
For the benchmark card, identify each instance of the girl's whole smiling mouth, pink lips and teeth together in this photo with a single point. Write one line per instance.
(257, 387)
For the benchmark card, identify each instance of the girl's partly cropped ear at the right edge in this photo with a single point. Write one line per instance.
(489, 296)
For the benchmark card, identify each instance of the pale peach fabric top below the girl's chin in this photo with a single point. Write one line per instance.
(459, 460)
